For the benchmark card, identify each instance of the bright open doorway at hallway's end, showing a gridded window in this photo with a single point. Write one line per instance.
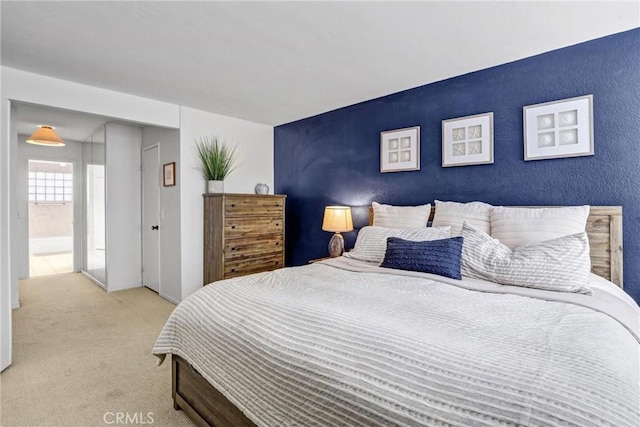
(50, 190)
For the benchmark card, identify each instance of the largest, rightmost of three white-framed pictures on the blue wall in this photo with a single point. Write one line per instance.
(559, 129)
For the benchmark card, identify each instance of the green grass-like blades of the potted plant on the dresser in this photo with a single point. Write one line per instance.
(217, 158)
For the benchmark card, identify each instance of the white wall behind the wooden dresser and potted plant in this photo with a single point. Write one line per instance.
(255, 152)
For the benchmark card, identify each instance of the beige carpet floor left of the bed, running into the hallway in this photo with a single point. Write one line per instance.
(82, 357)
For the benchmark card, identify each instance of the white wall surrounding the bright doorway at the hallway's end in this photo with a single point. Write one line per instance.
(72, 153)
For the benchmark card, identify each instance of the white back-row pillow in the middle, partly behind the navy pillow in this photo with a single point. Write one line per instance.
(454, 214)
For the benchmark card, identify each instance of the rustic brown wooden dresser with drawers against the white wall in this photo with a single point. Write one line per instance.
(243, 234)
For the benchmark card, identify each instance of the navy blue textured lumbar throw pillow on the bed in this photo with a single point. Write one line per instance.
(441, 257)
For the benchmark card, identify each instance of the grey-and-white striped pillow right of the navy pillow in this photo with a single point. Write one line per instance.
(561, 264)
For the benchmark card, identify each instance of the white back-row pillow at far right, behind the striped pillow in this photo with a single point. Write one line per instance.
(519, 226)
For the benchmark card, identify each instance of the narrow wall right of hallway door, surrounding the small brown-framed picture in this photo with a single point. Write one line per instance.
(168, 141)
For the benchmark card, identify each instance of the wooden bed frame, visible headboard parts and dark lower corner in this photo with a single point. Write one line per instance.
(206, 406)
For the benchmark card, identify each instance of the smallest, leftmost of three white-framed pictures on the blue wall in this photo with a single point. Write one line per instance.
(400, 150)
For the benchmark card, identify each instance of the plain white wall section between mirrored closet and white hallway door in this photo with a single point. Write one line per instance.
(123, 206)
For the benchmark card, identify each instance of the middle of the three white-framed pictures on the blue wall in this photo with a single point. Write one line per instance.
(467, 140)
